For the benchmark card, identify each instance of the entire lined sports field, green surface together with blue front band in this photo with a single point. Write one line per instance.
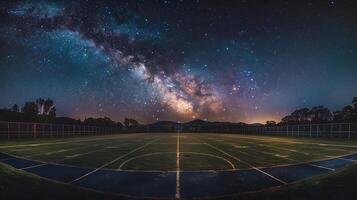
(180, 159)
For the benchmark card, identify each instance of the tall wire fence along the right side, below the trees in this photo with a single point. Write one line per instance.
(333, 130)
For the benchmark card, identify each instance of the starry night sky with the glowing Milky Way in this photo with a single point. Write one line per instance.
(179, 60)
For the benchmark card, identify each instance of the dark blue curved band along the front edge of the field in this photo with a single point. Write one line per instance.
(192, 184)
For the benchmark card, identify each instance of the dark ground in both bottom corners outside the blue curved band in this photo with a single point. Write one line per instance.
(16, 184)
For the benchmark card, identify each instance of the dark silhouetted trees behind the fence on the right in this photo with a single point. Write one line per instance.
(321, 114)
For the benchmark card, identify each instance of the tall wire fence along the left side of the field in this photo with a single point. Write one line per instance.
(12, 130)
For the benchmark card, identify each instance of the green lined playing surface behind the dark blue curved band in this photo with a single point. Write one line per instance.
(198, 151)
